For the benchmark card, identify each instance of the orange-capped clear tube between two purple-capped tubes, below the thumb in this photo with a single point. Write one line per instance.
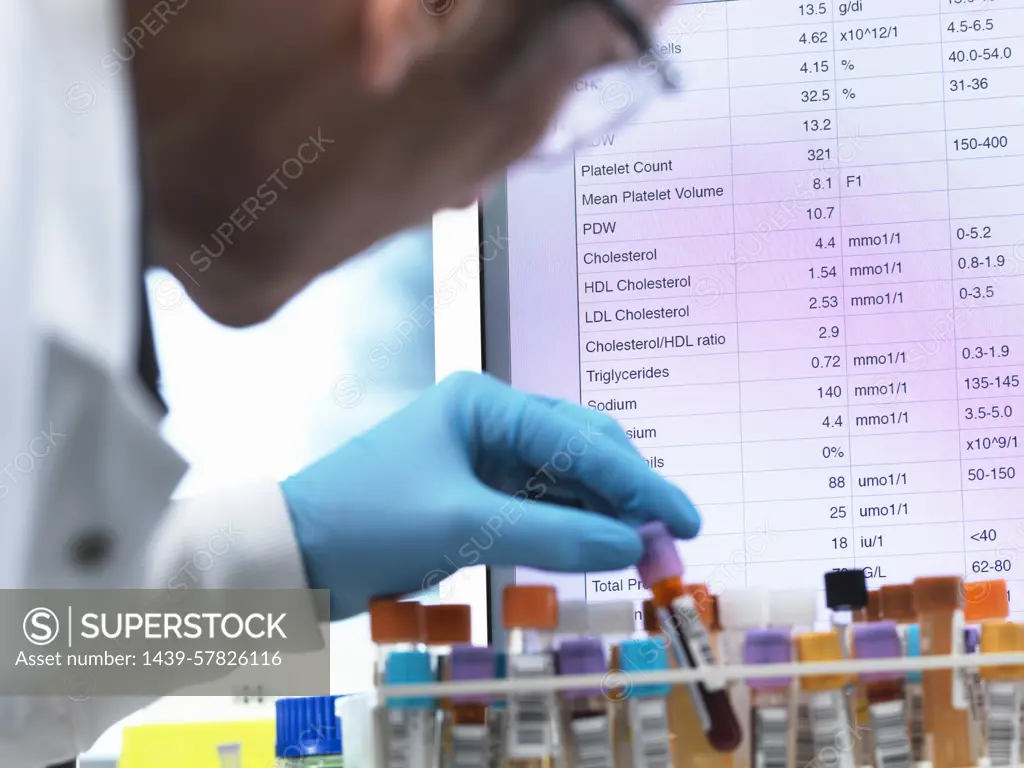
(530, 740)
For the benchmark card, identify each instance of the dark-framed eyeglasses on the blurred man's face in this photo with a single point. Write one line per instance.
(612, 97)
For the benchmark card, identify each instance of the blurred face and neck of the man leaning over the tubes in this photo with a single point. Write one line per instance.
(279, 140)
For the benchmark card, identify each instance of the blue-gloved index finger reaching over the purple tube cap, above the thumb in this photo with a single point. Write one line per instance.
(570, 449)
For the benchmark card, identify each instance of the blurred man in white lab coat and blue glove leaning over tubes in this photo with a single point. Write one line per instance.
(248, 147)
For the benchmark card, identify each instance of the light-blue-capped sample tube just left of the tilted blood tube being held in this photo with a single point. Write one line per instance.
(649, 735)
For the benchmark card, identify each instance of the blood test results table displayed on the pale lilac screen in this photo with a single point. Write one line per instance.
(801, 289)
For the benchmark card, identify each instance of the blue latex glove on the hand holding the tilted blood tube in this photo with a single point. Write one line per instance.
(444, 484)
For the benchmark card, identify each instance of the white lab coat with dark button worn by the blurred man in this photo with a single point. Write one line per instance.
(80, 454)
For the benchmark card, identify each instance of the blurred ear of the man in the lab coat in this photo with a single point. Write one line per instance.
(400, 32)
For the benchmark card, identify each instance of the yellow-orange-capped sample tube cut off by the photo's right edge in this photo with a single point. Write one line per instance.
(1003, 694)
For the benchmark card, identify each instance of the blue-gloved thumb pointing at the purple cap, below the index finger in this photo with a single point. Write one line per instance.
(549, 537)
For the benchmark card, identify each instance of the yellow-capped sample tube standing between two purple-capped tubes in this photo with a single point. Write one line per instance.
(826, 699)
